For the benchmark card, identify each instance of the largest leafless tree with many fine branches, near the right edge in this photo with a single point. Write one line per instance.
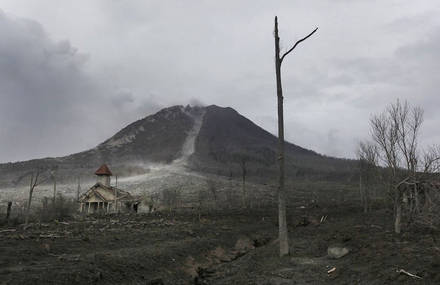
(395, 132)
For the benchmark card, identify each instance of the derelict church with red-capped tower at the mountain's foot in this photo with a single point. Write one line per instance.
(103, 198)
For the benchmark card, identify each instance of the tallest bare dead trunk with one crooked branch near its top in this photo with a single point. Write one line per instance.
(282, 223)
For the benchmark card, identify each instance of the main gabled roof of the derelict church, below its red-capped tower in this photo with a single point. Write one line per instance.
(106, 194)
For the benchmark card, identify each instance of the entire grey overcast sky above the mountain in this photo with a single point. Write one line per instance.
(72, 73)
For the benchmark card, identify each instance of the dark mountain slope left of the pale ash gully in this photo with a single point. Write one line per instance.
(156, 138)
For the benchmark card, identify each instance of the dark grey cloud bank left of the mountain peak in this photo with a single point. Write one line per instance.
(50, 104)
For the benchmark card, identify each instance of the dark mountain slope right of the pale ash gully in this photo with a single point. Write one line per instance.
(227, 139)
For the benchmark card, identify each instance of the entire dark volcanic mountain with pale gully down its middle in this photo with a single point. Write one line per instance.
(213, 139)
